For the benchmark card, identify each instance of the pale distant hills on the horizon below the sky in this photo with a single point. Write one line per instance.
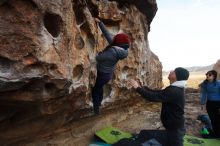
(195, 69)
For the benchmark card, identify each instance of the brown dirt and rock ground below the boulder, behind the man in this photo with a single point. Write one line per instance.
(143, 115)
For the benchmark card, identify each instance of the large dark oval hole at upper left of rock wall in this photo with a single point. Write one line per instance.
(53, 23)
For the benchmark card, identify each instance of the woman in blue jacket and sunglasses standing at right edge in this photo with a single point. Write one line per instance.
(210, 96)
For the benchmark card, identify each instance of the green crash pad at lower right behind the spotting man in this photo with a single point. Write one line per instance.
(195, 141)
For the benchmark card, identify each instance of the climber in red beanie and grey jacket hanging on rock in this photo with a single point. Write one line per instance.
(107, 60)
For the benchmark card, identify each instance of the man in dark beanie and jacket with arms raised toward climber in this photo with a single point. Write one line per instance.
(172, 113)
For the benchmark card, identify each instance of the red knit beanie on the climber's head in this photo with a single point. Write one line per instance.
(122, 38)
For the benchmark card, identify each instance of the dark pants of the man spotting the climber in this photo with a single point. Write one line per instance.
(165, 137)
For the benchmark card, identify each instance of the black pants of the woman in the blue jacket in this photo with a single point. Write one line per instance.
(213, 108)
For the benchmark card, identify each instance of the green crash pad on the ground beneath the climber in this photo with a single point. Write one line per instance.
(112, 135)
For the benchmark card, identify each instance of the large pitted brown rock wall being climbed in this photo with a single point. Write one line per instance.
(47, 60)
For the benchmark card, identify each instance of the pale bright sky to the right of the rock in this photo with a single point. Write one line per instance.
(186, 33)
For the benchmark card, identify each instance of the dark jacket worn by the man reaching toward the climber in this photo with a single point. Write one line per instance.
(173, 102)
